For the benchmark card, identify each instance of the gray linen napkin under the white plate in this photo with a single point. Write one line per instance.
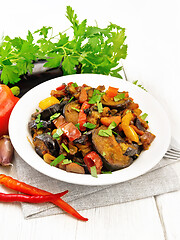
(161, 179)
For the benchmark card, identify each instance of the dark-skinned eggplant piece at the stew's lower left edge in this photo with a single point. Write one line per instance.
(44, 143)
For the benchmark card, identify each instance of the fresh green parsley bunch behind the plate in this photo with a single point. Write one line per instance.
(91, 50)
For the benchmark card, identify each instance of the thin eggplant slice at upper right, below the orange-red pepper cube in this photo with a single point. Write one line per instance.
(120, 105)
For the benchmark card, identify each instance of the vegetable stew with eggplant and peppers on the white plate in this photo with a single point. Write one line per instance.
(89, 130)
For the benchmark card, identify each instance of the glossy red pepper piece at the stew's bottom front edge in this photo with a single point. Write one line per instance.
(93, 159)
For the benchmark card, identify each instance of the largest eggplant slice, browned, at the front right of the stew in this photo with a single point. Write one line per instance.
(110, 151)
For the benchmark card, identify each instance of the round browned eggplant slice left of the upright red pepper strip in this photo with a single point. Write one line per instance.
(70, 114)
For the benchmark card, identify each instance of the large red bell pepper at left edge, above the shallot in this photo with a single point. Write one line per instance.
(7, 103)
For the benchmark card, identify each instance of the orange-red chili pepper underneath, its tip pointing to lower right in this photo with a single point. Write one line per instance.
(28, 189)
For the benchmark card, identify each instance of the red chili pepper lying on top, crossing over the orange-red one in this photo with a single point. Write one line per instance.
(30, 199)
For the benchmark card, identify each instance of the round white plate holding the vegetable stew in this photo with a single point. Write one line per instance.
(158, 122)
